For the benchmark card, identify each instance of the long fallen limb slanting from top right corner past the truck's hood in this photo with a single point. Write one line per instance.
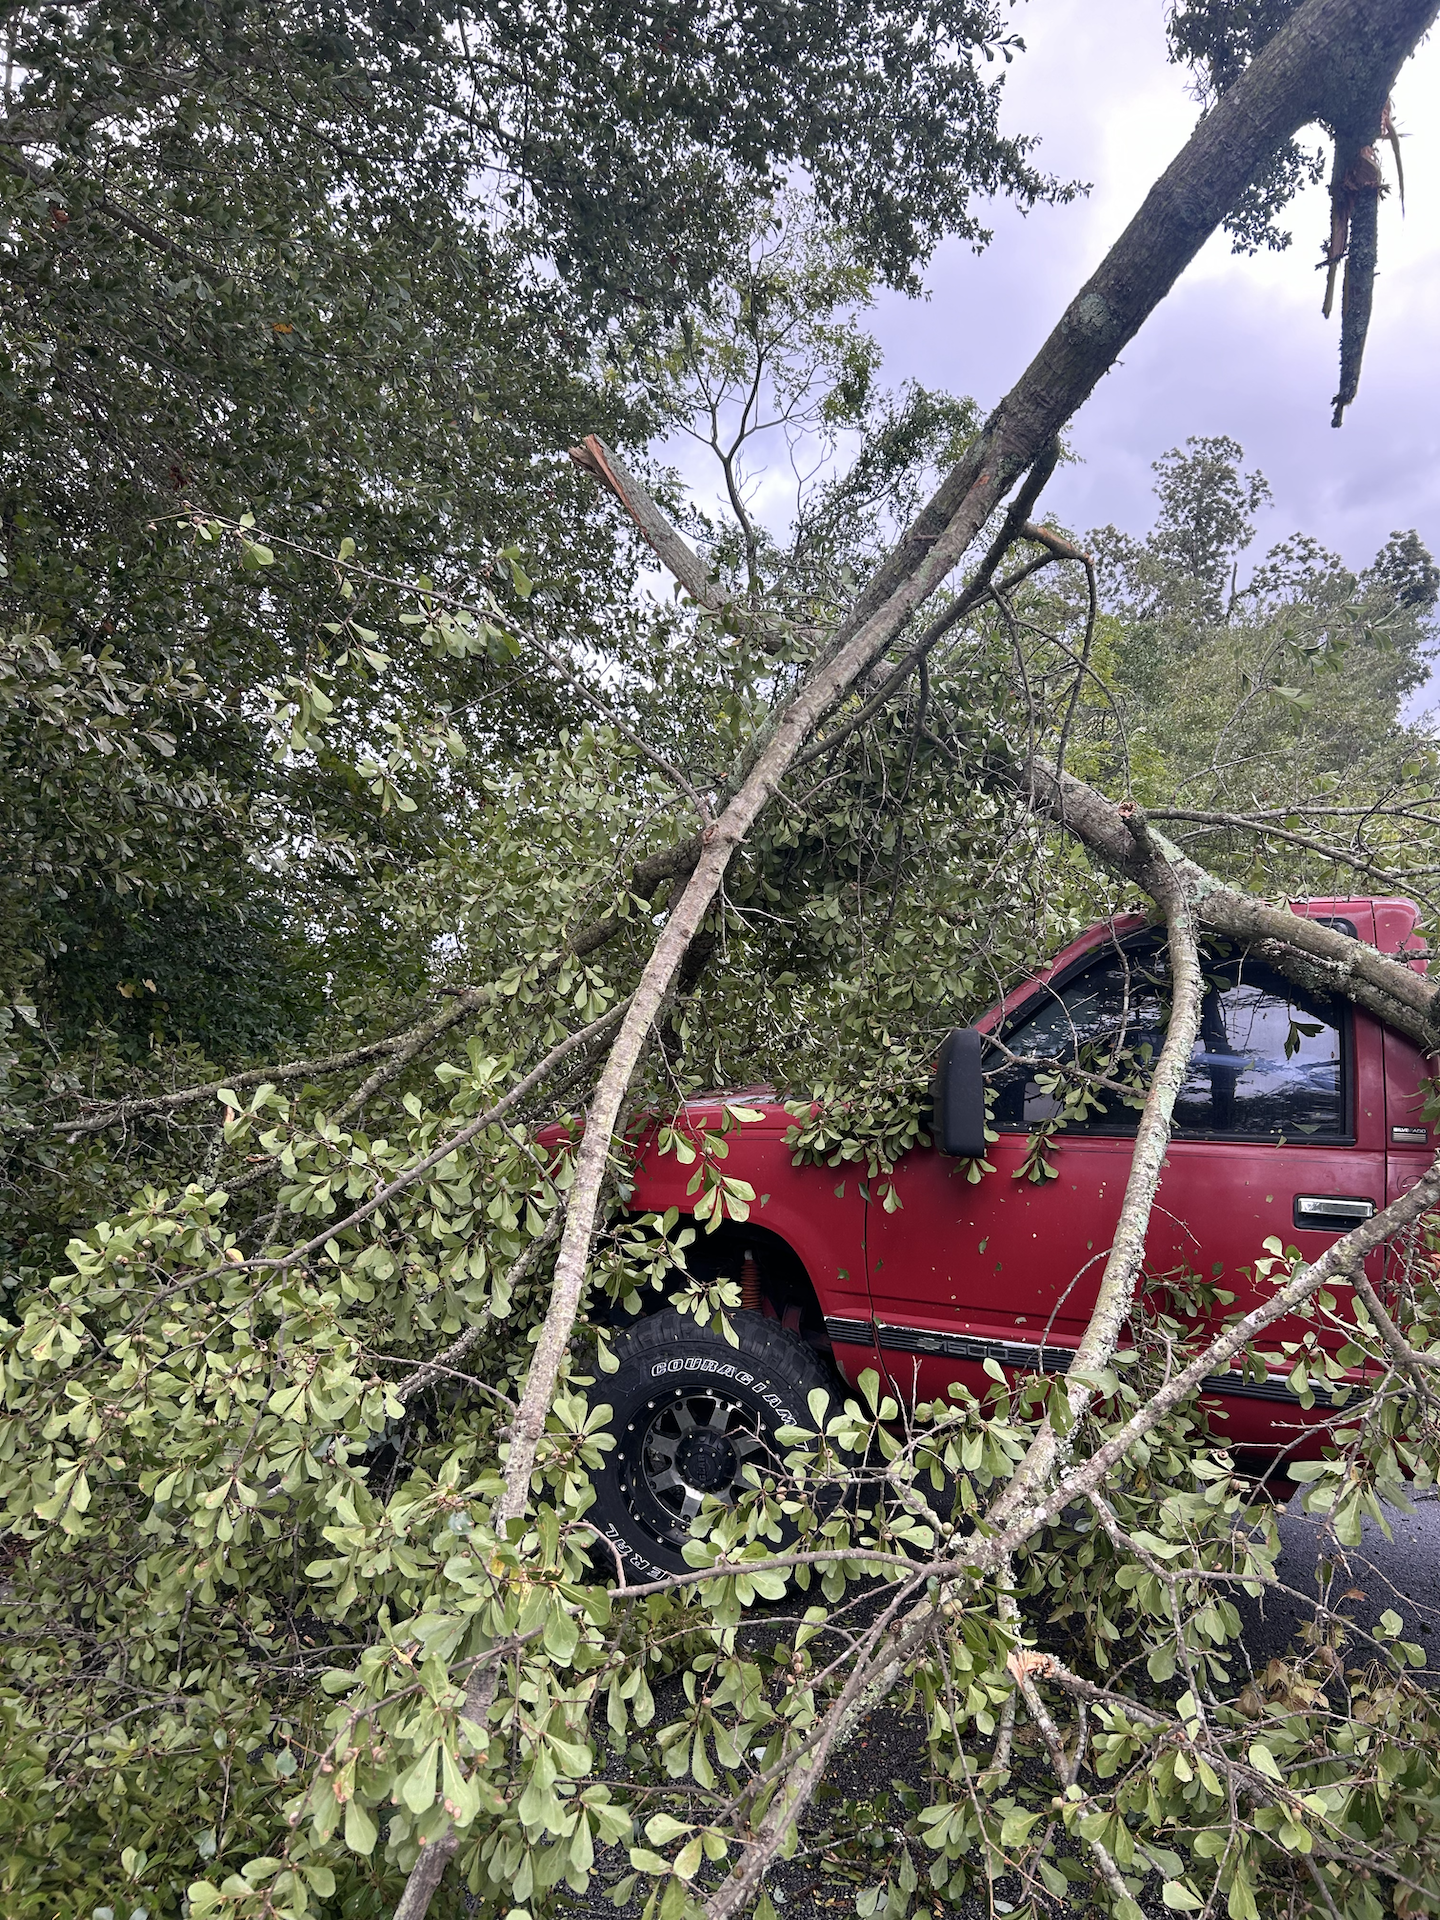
(1328, 45)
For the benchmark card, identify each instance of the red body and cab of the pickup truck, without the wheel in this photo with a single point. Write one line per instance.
(1301, 1116)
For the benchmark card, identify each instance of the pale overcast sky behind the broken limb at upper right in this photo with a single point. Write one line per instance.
(1239, 347)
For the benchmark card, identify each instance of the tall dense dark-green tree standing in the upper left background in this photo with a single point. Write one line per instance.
(366, 274)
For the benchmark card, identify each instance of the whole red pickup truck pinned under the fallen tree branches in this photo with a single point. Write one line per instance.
(1301, 1116)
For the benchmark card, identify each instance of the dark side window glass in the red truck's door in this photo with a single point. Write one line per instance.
(1268, 1063)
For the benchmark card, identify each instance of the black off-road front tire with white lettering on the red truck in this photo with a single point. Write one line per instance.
(688, 1414)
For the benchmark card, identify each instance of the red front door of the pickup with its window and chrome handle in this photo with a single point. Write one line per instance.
(1280, 1132)
